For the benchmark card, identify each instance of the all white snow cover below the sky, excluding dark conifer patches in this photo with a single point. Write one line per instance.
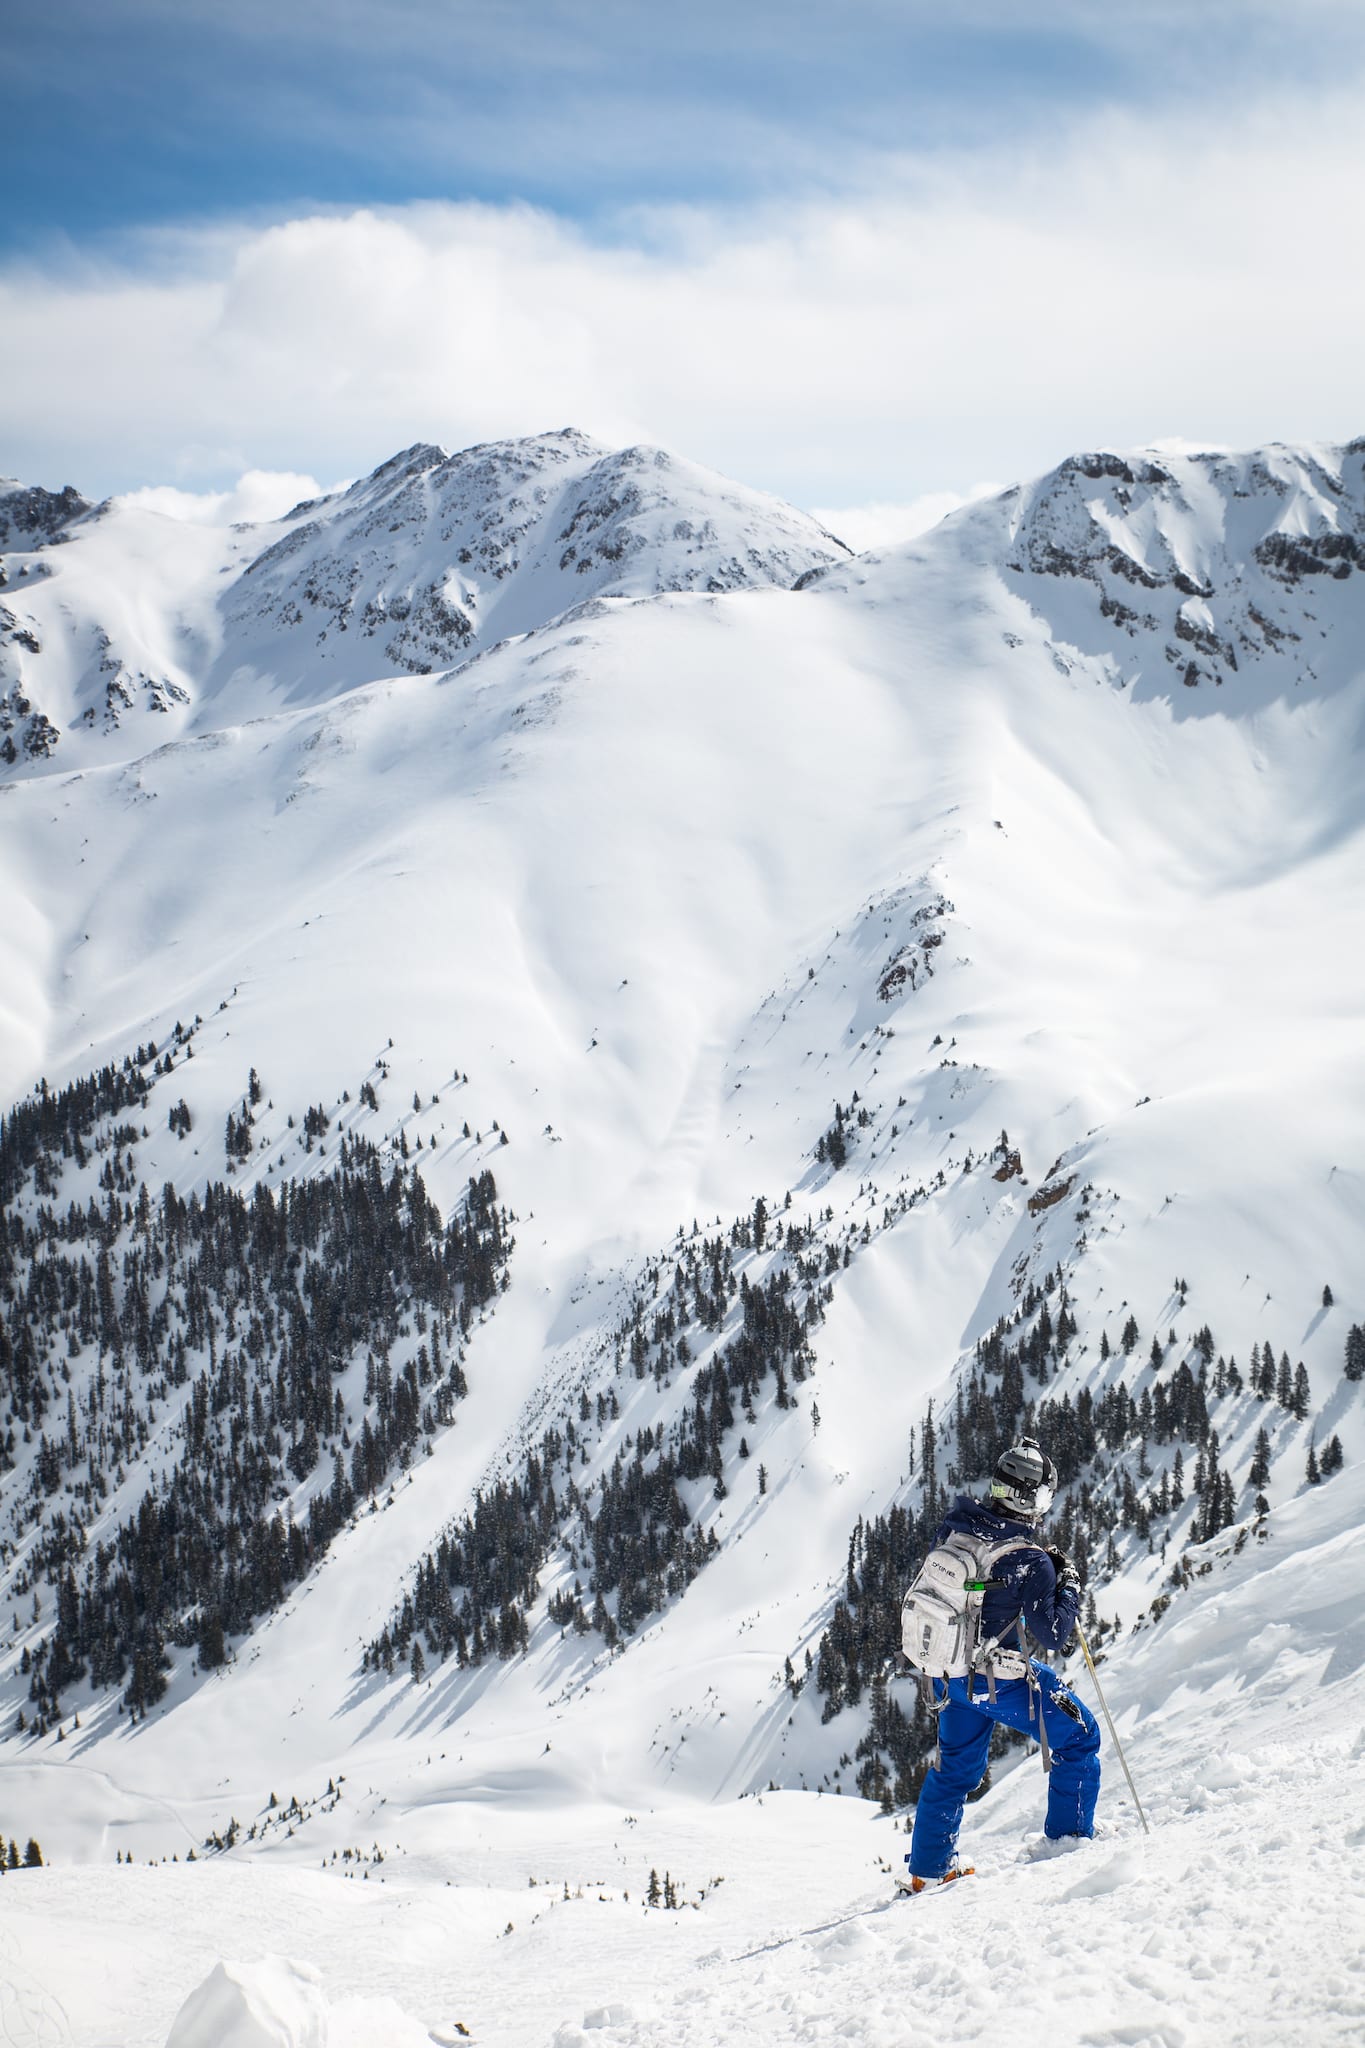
(658, 878)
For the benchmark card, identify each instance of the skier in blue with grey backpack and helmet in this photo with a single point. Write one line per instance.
(1032, 1586)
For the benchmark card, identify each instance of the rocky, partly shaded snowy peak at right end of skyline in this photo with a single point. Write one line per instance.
(1200, 570)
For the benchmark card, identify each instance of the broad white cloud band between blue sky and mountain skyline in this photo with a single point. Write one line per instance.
(955, 321)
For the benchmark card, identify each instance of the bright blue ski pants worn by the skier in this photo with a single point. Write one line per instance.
(965, 1746)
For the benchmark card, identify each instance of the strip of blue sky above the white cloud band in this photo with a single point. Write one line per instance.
(138, 112)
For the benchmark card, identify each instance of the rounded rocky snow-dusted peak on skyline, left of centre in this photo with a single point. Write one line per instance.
(437, 556)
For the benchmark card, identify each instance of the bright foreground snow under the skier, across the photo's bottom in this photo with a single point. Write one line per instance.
(1237, 1922)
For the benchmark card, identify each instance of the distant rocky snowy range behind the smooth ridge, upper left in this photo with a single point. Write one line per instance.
(416, 568)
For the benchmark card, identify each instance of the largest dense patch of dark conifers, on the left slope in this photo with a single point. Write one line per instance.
(253, 1306)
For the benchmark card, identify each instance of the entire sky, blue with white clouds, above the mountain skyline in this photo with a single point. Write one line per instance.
(204, 202)
